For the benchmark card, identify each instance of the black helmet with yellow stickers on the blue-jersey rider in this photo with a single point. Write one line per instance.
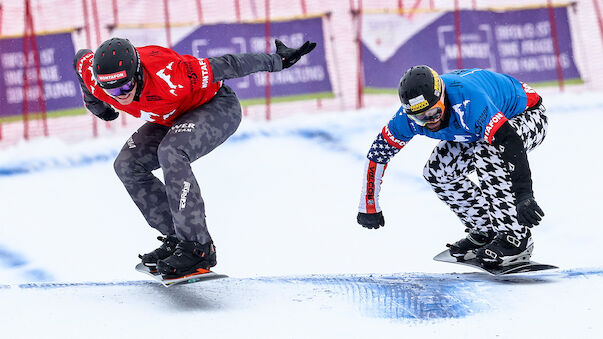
(420, 88)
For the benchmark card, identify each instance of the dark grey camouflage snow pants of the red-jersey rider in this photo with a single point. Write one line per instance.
(177, 207)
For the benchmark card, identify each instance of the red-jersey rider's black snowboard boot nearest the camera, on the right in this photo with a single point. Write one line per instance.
(190, 257)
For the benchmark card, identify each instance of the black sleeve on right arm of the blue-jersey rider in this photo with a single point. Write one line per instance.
(514, 154)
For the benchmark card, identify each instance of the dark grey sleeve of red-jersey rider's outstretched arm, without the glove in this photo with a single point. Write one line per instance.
(231, 66)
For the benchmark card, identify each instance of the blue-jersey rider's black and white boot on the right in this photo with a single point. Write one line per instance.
(506, 249)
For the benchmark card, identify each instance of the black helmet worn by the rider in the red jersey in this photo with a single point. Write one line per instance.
(116, 62)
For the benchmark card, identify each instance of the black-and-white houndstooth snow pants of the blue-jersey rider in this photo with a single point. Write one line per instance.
(492, 203)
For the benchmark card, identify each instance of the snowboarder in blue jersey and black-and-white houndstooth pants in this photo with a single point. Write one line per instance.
(487, 123)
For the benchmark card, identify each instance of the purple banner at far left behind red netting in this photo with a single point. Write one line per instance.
(60, 84)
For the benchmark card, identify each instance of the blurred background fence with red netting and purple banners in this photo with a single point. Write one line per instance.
(364, 48)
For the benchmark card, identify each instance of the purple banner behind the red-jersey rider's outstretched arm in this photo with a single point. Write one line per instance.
(308, 77)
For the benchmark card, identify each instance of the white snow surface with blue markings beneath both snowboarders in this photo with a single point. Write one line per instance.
(281, 200)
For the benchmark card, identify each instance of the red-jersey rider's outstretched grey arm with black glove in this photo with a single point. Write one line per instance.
(231, 66)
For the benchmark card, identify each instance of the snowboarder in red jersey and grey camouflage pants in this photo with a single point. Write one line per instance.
(190, 112)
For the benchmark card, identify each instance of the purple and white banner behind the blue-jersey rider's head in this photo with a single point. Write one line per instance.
(518, 43)
